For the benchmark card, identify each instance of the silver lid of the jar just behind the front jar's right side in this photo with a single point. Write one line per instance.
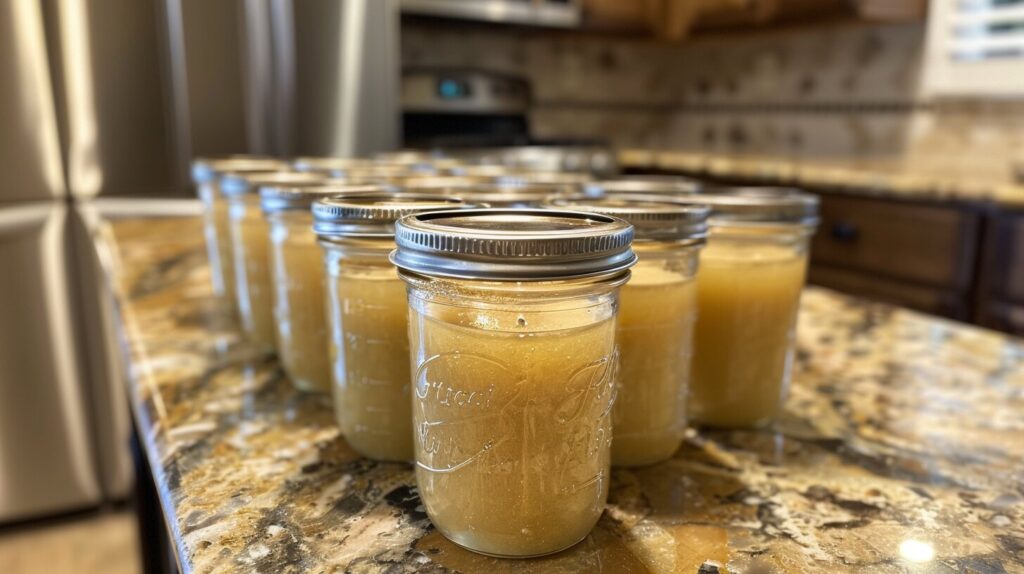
(655, 218)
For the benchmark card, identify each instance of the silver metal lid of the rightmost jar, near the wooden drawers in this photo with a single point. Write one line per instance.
(734, 206)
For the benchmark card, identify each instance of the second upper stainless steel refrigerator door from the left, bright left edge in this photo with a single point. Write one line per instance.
(116, 92)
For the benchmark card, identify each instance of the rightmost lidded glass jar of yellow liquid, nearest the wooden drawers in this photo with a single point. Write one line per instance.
(752, 275)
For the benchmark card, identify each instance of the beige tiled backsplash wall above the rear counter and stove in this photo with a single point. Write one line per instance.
(836, 92)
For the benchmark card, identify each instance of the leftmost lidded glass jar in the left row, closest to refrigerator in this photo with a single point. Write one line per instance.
(206, 175)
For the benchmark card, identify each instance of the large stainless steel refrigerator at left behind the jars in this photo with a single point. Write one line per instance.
(103, 106)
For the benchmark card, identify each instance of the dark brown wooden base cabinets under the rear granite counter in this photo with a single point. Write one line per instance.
(962, 259)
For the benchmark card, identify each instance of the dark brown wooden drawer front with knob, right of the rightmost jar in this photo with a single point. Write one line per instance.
(925, 244)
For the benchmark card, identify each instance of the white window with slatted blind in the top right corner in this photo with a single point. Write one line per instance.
(975, 48)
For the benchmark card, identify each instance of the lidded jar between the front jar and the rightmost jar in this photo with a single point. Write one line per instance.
(658, 310)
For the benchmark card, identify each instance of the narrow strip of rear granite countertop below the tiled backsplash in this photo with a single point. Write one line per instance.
(899, 180)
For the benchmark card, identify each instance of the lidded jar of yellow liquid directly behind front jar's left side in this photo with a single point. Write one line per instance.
(367, 318)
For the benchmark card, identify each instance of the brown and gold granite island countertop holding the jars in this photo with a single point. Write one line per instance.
(902, 450)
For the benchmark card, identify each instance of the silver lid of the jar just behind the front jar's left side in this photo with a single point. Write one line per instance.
(373, 215)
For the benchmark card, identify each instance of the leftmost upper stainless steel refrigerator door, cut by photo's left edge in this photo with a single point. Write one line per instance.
(30, 153)
